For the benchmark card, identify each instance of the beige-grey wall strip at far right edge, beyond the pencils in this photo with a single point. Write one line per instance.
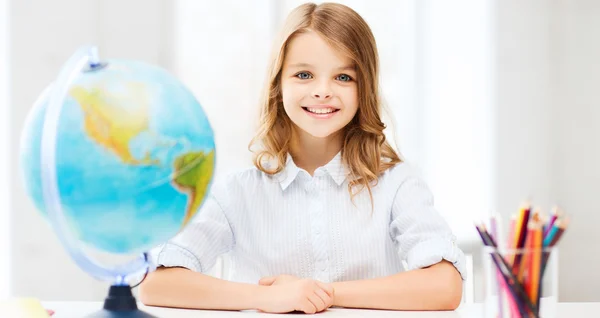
(575, 134)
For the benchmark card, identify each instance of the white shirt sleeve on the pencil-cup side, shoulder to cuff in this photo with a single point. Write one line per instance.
(422, 235)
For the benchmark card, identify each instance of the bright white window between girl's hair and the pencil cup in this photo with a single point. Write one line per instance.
(454, 98)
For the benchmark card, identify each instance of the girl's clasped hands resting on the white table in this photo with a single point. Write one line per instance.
(306, 295)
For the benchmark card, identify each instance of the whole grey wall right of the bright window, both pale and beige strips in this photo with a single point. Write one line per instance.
(548, 110)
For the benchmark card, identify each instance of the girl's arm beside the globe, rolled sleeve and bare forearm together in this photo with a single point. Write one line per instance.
(179, 282)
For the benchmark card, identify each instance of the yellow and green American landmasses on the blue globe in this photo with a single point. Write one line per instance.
(113, 126)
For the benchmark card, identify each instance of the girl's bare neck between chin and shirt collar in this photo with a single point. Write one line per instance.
(311, 152)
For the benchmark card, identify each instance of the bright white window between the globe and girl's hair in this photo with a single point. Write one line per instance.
(221, 52)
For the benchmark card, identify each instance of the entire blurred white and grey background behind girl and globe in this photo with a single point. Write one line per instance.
(495, 101)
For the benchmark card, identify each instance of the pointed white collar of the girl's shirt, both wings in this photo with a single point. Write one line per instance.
(334, 168)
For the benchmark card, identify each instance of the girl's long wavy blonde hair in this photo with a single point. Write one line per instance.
(365, 152)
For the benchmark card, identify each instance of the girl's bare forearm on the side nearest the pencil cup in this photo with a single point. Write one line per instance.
(438, 287)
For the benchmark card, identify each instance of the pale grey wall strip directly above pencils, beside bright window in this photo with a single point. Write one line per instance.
(523, 98)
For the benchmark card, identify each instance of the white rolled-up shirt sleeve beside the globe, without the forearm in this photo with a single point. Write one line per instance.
(199, 244)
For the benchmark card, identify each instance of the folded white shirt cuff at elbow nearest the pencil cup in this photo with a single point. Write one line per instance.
(433, 251)
